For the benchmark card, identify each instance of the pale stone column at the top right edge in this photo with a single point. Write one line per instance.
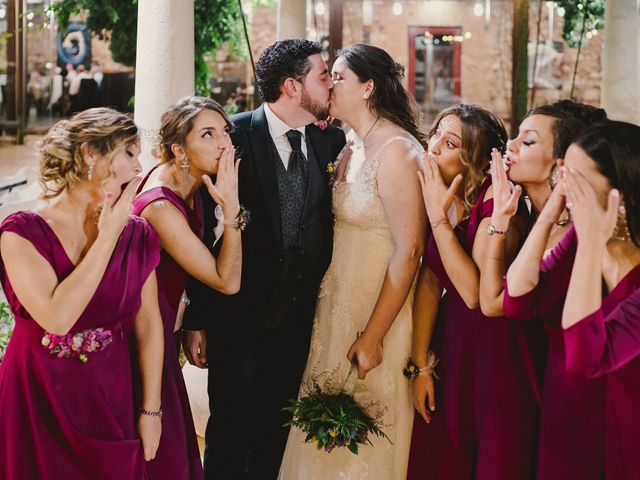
(621, 60)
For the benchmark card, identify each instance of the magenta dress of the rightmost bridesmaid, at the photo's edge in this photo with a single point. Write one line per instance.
(606, 344)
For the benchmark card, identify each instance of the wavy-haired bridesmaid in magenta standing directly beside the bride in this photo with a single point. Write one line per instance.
(482, 421)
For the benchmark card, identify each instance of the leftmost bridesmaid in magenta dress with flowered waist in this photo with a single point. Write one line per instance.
(80, 281)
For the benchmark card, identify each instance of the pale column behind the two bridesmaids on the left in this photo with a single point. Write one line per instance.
(164, 64)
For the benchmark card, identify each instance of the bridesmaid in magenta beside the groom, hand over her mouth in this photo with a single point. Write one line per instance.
(194, 144)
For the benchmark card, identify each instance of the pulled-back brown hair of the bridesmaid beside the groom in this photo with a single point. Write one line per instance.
(177, 122)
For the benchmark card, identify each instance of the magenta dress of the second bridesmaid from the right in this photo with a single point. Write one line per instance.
(571, 443)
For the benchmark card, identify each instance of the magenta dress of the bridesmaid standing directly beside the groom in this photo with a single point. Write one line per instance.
(178, 456)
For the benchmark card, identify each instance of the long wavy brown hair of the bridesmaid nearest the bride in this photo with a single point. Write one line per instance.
(481, 132)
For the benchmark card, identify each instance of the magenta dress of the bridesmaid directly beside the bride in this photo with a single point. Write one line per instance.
(486, 421)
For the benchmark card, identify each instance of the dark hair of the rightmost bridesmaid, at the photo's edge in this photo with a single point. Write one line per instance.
(615, 149)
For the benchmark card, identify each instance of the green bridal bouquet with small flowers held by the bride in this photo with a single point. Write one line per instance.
(333, 418)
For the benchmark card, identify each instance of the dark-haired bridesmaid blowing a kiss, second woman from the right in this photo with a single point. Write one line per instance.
(532, 157)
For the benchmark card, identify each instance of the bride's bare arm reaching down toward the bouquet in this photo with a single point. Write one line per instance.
(406, 217)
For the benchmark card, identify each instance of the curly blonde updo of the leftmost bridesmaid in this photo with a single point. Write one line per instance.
(62, 164)
